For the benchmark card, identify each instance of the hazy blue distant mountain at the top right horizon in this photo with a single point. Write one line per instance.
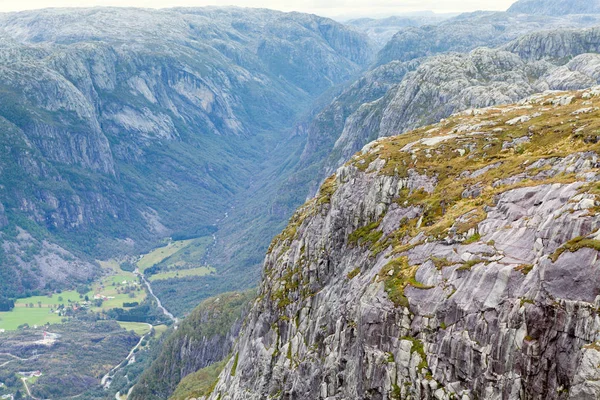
(556, 7)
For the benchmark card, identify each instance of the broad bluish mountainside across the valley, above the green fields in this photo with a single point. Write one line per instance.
(124, 126)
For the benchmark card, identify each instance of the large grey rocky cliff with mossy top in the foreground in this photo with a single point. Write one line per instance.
(456, 261)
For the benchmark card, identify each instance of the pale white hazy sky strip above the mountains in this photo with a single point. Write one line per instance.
(331, 8)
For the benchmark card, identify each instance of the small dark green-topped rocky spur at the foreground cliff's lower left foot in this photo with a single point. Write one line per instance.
(204, 338)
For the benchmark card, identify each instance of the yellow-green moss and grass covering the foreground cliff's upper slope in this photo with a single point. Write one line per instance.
(470, 156)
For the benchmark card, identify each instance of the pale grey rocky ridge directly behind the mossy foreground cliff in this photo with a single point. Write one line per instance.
(418, 92)
